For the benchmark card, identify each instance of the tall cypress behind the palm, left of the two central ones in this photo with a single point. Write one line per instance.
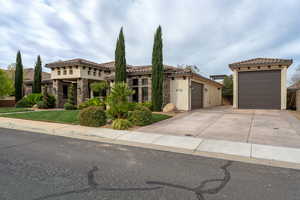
(120, 59)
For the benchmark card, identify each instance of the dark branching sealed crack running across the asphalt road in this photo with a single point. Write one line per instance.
(199, 190)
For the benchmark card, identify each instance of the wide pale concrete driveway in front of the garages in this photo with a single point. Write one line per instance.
(271, 127)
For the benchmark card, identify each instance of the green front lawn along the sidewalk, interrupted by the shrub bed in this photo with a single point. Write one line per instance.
(65, 116)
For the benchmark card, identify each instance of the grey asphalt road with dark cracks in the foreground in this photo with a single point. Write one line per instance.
(41, 167)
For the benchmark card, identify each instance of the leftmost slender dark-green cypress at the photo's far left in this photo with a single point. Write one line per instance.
(19, 77)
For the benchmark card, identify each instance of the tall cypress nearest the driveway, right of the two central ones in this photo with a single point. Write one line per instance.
(157, 71)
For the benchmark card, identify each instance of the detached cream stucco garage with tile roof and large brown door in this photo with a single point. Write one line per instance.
(260, 83)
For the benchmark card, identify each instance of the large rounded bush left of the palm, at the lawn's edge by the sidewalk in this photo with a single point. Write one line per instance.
(93, 116)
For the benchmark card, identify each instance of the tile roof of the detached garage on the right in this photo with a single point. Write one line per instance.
(261, 61)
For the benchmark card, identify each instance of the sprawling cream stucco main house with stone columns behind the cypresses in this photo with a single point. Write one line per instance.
(182, 87)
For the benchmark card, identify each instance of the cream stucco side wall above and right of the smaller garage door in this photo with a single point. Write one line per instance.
(212, 95)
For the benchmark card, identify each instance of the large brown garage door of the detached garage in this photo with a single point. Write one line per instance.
(259, 89)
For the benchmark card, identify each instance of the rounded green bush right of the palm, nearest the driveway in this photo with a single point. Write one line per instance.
(141, 116)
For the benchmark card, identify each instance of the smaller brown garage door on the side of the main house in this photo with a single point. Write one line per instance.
(196, 95)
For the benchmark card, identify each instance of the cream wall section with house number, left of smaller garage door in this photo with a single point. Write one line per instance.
(179, 93)
